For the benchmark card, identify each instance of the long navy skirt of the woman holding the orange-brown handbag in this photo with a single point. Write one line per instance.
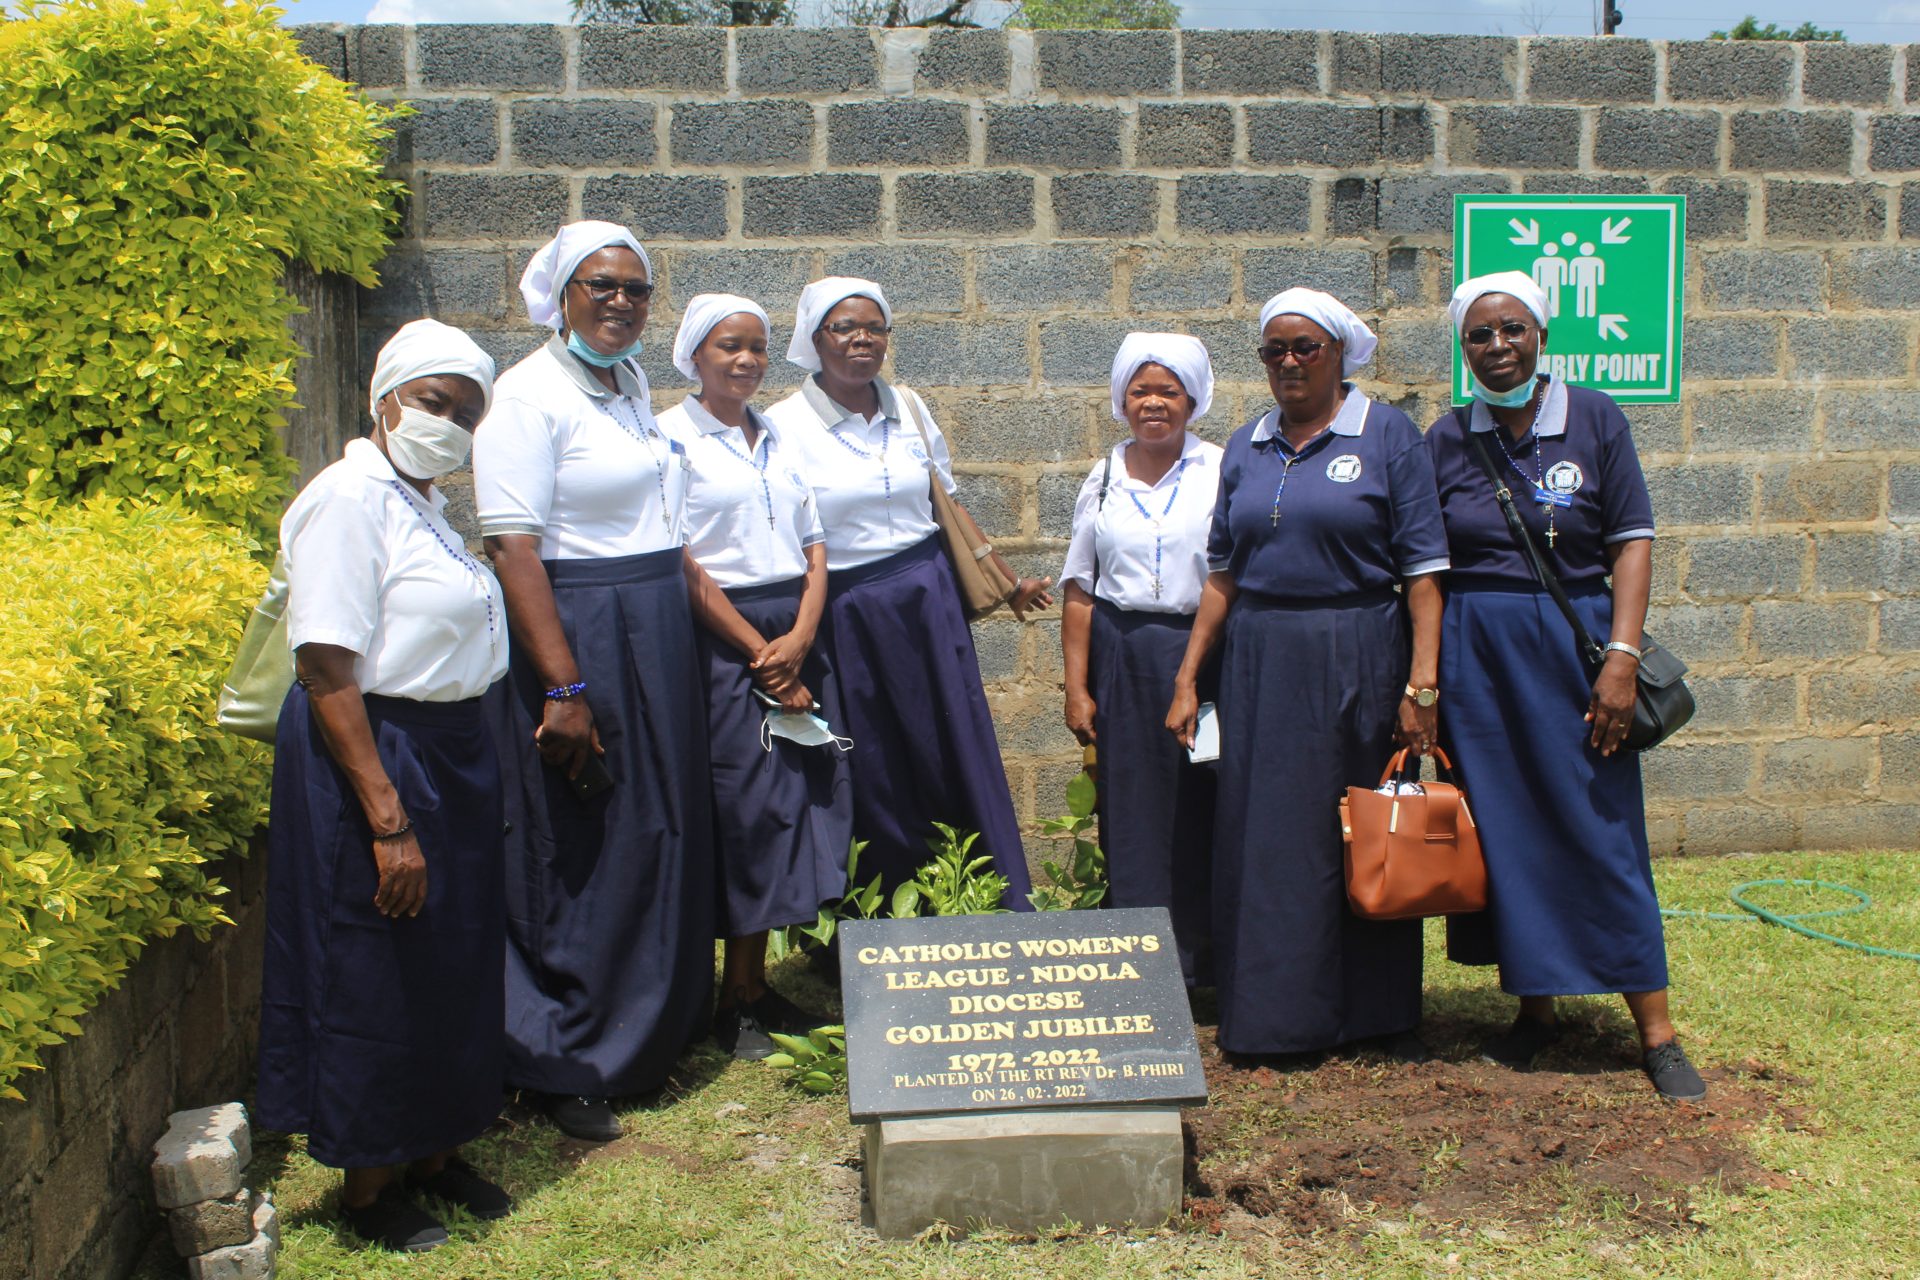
(1308, 696)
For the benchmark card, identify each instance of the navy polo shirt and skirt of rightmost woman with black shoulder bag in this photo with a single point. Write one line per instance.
(1572, 905)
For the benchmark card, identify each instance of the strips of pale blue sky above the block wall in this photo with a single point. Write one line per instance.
(1867, 22)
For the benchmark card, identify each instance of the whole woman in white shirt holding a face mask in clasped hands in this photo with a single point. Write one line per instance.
(780, 786)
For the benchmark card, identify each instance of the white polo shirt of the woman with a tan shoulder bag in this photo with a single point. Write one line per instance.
(869, 475)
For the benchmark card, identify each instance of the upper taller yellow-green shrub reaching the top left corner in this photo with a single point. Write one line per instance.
(160, 164)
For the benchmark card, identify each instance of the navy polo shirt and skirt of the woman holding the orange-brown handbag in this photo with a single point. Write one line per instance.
(1312, 675)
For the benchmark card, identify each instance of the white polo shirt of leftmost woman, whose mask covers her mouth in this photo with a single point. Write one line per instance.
(373, 567)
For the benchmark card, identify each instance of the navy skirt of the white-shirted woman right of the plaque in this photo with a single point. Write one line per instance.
(1157, 807)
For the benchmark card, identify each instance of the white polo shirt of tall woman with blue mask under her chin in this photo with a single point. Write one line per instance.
(587, 471)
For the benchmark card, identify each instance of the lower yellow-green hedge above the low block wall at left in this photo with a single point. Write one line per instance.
(118, 623)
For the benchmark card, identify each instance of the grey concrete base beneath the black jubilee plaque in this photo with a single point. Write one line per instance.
(1024, 1170)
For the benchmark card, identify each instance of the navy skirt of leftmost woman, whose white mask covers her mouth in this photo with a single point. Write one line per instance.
(381, 1039)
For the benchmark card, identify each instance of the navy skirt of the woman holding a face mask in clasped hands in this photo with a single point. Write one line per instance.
(782, 813)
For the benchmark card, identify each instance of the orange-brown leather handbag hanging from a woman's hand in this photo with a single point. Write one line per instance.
(1412, 855)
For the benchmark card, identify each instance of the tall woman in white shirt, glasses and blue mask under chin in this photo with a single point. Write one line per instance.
(602, 728)
